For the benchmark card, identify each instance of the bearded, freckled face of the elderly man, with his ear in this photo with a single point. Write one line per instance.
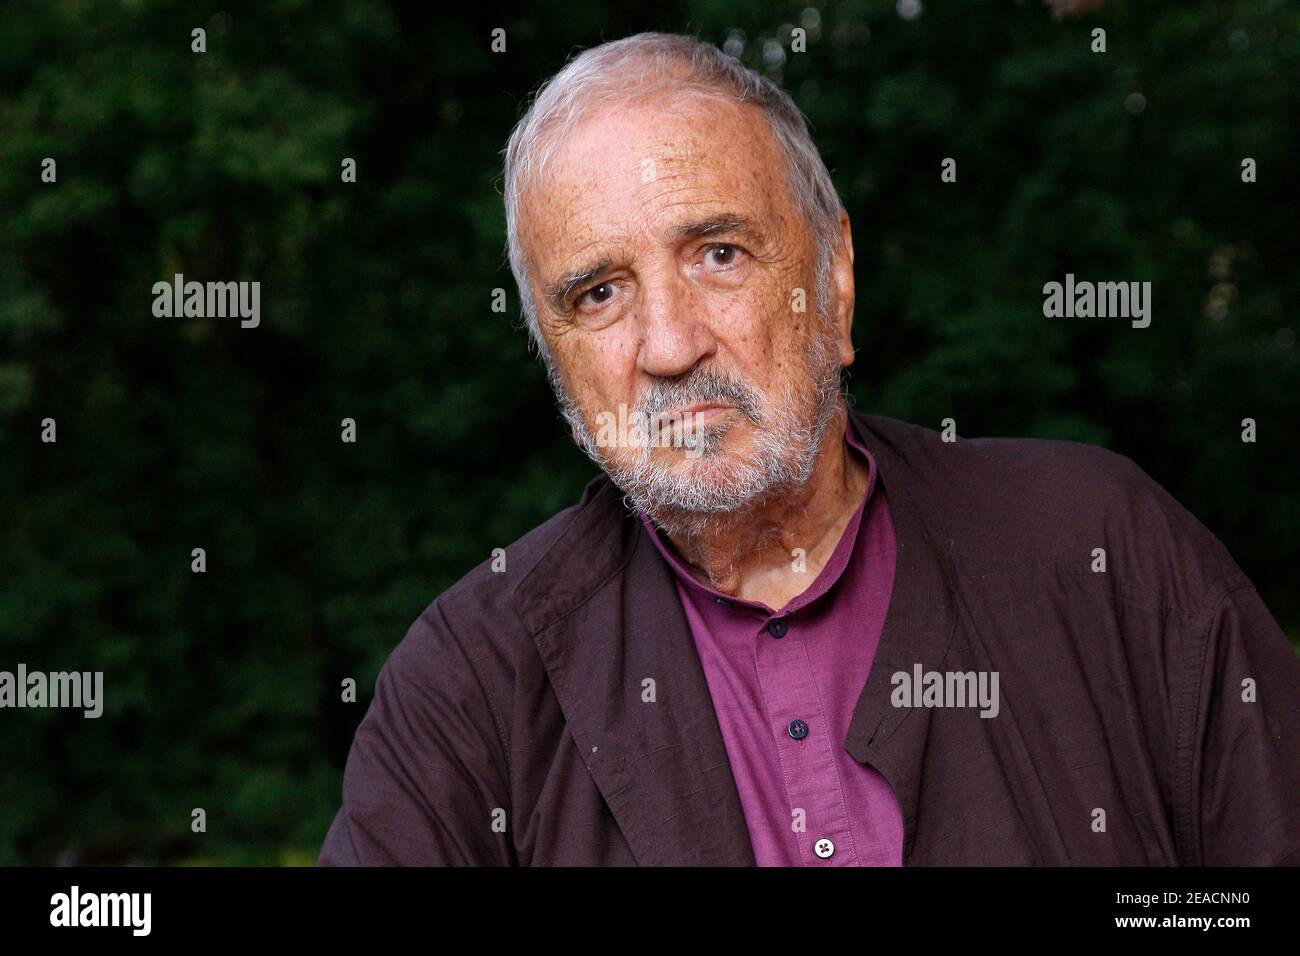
(669, 266)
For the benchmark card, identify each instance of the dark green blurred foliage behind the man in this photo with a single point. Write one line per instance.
(224, 689)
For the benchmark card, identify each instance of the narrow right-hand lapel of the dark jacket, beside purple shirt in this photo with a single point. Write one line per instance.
(918, 630)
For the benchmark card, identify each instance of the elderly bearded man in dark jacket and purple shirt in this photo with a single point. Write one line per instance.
(777, 631)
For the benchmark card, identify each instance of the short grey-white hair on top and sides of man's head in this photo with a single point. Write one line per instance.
(635, 68)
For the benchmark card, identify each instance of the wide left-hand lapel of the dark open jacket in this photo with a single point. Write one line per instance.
(610, 630)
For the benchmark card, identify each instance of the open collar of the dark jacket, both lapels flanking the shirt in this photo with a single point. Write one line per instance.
(609, 628)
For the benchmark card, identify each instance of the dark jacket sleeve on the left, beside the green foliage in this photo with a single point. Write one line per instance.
(426, 777)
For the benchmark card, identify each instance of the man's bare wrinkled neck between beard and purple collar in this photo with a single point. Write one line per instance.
(752, 555)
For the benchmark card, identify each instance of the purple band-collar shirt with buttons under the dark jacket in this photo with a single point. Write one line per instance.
(785, 686)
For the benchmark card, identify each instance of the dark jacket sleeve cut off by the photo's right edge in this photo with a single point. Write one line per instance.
(1241, 738)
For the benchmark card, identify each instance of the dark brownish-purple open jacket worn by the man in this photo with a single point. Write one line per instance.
(518, 697)
